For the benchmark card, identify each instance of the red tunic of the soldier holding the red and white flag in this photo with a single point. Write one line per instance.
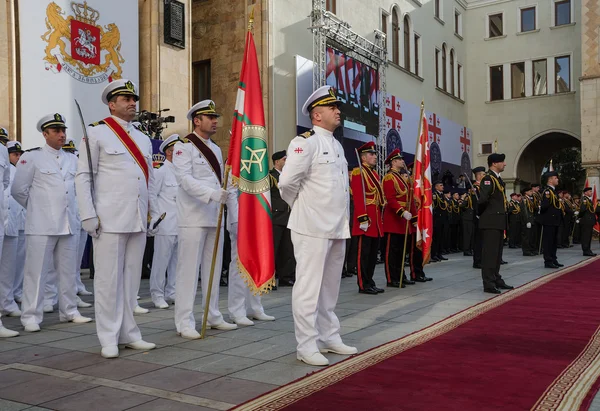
(396, 188)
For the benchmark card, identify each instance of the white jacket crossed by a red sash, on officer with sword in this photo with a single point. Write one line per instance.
(121, 192)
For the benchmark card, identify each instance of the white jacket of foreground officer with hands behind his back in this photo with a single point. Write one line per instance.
(315, 183)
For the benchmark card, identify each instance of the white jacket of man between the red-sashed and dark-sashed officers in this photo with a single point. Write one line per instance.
(163, 197)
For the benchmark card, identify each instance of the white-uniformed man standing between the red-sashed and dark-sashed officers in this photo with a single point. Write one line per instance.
(163, 196)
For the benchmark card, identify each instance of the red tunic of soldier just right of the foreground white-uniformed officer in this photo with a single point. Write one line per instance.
(375, 200)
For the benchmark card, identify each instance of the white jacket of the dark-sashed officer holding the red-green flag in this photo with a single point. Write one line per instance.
(197, 181)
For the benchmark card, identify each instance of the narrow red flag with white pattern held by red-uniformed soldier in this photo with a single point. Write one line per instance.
(422, 193)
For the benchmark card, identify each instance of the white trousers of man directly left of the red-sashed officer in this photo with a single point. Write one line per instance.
(40, 249)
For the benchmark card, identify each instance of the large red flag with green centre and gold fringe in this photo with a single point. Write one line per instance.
(249, 162)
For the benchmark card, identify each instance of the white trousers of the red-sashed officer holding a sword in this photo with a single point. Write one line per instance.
(118, 264)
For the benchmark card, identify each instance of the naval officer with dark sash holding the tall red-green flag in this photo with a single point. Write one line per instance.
(199, 170)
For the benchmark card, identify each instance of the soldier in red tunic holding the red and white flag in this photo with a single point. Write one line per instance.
(396, 216)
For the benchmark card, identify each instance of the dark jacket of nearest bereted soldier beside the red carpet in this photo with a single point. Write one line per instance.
(492, 203)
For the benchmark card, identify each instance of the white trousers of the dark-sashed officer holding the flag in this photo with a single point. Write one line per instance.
(195, 250)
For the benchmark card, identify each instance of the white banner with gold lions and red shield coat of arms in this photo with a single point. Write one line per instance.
(72, 50)
